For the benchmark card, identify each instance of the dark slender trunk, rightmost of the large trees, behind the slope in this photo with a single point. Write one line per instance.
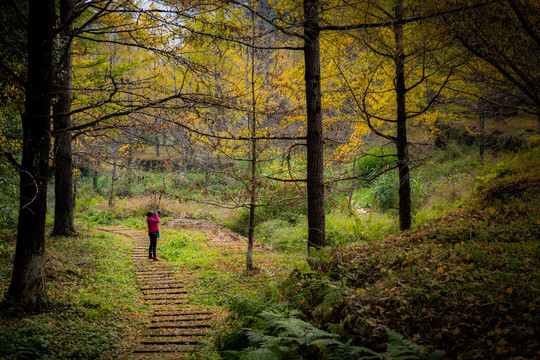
(401, 138)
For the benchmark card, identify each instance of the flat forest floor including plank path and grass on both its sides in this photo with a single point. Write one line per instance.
(107, 299)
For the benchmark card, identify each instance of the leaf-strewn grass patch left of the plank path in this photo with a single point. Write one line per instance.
(95, 307)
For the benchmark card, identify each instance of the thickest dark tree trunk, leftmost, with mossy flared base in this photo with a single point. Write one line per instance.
(28, 283)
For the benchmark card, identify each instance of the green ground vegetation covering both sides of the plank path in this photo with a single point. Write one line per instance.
(464, 281)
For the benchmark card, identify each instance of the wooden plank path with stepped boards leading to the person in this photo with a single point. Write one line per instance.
(175, 327)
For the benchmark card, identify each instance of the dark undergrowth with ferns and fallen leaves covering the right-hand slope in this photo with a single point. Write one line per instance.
(465, 283)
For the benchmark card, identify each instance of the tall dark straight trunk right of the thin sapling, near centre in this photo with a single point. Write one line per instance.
(315, 145)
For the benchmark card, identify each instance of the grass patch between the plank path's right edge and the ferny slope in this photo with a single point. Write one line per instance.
(215, 269)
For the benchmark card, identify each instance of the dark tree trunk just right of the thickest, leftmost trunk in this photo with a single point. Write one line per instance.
(63, 187)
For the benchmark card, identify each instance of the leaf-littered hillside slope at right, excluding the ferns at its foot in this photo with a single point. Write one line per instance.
(467, 283)
